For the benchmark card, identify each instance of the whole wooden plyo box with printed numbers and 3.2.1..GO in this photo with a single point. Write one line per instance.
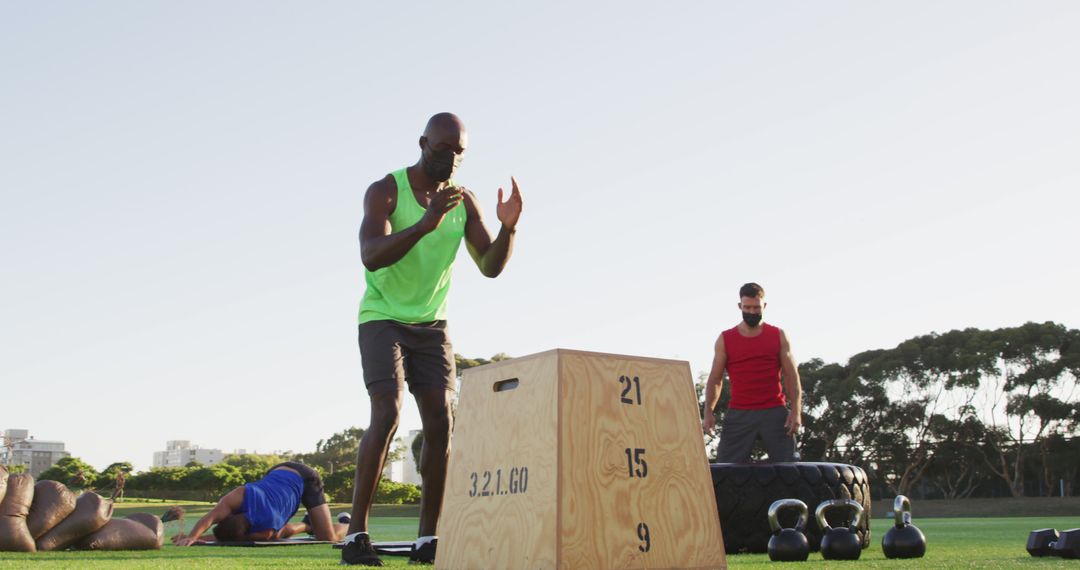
(578, 460)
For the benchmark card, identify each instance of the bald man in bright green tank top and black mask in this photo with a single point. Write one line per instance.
(414, 223)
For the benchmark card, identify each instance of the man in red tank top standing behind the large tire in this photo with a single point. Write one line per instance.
(766, 392)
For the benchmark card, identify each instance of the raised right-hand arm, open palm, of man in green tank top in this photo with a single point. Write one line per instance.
(492, 257)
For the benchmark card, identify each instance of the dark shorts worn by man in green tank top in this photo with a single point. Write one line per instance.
(396, 354)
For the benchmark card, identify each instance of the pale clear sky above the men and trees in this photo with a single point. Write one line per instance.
(182, 188)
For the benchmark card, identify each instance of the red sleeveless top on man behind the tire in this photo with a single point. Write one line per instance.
(754, 369)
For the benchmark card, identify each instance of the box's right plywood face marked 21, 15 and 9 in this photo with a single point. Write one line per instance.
(609, 506)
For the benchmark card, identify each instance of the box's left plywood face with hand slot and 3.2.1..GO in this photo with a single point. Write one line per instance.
(505, 431)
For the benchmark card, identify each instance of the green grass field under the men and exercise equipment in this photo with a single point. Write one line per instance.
(983, 542)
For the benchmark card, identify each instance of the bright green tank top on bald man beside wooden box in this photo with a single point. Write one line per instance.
(414, 290)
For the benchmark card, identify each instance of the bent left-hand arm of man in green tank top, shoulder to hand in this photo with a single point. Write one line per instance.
(379, 247)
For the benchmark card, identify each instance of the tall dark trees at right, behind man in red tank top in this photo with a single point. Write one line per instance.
(968, 413)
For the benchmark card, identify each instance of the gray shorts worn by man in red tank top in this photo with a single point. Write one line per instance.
(741, 428)
